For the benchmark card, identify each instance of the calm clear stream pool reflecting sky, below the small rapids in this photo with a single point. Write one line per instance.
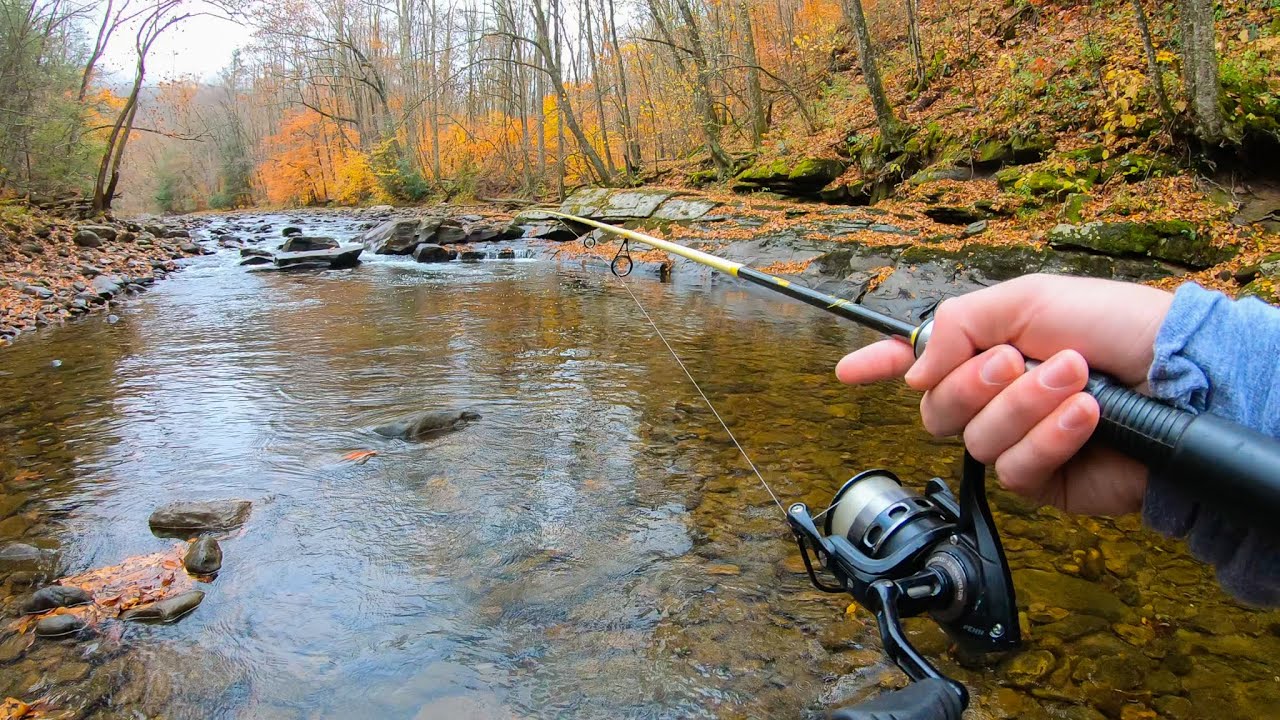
(592, 548)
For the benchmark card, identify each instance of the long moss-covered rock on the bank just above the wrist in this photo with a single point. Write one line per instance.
(1172, 241)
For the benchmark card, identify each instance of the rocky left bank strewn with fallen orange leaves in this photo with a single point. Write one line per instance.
(54, 270)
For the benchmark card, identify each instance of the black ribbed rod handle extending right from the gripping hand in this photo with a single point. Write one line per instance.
(1194, 452)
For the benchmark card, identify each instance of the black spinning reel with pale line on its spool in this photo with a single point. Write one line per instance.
(902, 555)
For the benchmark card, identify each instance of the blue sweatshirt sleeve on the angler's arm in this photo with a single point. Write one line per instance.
(1219, 356)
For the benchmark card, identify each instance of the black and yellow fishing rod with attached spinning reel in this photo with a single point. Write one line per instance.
(902, 554)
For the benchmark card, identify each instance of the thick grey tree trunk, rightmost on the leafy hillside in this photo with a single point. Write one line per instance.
(1200, 70)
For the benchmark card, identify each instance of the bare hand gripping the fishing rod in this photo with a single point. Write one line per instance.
(1032, 425)
